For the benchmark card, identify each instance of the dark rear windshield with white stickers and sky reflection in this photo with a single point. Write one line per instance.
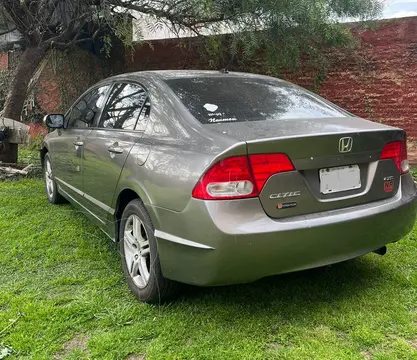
(234, 99)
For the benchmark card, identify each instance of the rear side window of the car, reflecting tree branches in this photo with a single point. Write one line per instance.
(123, 107)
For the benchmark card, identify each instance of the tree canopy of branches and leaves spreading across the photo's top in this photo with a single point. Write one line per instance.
(284, 28)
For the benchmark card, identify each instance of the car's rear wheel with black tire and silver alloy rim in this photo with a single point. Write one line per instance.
(139, 256)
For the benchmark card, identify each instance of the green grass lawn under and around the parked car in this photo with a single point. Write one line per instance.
(62, 296)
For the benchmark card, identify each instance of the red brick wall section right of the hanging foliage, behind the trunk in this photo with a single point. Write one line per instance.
(381, 82)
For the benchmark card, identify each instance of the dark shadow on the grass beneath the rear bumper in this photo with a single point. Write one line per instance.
(294, 295)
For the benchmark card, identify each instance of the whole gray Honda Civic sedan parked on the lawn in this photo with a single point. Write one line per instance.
(215, 178)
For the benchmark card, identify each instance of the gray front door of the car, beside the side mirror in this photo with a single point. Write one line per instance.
(68, 147)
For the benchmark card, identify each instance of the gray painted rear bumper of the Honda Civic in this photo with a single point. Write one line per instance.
(229, 242)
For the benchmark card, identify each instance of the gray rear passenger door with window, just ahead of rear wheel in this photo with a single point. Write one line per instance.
(108, 145)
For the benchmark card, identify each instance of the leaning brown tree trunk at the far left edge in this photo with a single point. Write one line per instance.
(29, 62)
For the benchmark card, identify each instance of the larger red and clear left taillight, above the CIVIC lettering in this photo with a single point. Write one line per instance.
(240, 177)
